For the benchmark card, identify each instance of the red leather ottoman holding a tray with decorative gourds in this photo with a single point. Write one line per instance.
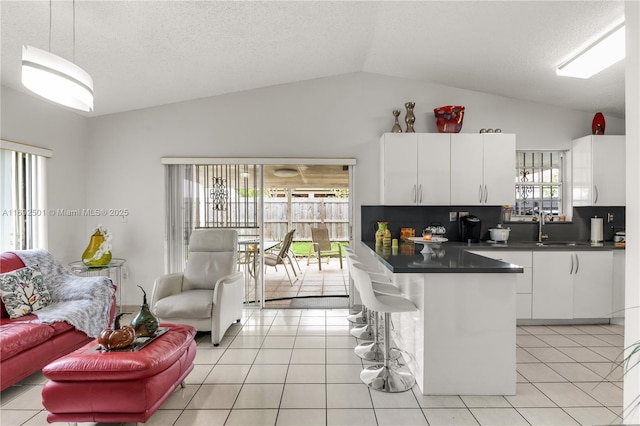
(93, 386)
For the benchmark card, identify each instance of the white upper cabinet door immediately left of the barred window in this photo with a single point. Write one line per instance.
(499, 159)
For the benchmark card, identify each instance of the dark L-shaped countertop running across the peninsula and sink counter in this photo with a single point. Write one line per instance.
(454, 257)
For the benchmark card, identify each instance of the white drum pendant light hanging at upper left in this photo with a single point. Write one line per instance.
(56, 78)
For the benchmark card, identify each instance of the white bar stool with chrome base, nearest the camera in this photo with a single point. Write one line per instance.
(385, 377)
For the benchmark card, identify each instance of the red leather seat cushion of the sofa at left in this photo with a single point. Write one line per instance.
(21, 335)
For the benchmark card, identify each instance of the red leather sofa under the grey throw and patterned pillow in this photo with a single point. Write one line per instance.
(27, 346)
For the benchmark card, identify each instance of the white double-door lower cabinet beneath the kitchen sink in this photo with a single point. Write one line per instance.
(572, 285)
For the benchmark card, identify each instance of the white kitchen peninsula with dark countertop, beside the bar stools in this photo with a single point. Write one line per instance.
(462, 339)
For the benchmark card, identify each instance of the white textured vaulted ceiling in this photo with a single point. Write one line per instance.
(148, 53)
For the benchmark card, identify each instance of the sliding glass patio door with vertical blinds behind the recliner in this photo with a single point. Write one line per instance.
(266, 201)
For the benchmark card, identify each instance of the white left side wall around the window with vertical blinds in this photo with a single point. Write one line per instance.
(33, 121)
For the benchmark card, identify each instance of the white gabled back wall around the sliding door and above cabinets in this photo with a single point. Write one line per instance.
(341, 116)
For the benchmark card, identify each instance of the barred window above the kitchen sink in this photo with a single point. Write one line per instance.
(539, 184)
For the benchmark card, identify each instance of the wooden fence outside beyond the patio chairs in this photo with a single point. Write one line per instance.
(302, 214)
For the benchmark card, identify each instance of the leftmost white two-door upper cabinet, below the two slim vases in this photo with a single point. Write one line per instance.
(415, 169)
